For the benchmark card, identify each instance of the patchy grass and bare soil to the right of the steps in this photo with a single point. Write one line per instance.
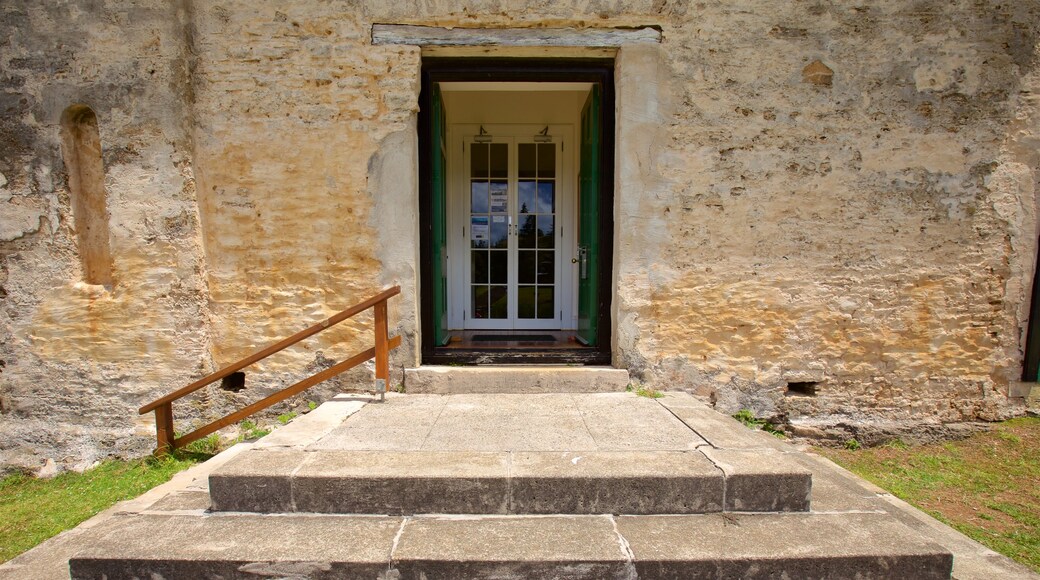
(986, 487)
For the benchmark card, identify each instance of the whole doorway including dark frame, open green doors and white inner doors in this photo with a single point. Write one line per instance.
(516, 210)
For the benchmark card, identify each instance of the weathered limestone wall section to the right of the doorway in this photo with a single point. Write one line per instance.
(872, 231)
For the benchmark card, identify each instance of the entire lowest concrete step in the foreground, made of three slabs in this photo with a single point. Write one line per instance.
(577, 547)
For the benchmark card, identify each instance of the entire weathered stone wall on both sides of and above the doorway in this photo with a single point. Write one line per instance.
(835, 194)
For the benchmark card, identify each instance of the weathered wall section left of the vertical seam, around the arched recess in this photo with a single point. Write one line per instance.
(76, 360)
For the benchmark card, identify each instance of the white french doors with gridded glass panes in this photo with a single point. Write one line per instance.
(512, 200)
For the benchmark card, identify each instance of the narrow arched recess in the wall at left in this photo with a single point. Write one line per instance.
(82, 150)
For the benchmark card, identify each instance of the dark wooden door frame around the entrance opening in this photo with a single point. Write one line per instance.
(437, 70)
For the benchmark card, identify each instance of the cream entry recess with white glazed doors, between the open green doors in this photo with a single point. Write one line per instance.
(511, 205)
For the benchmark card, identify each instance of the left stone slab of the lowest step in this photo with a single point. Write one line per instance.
(237, 546)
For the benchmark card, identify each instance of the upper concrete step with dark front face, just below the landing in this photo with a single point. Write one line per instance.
(704, 481)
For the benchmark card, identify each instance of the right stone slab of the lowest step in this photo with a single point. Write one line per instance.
(852, 546)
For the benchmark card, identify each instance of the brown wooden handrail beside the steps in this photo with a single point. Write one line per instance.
(164, 406)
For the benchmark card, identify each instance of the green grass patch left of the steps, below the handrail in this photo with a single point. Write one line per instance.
(33, 511)
